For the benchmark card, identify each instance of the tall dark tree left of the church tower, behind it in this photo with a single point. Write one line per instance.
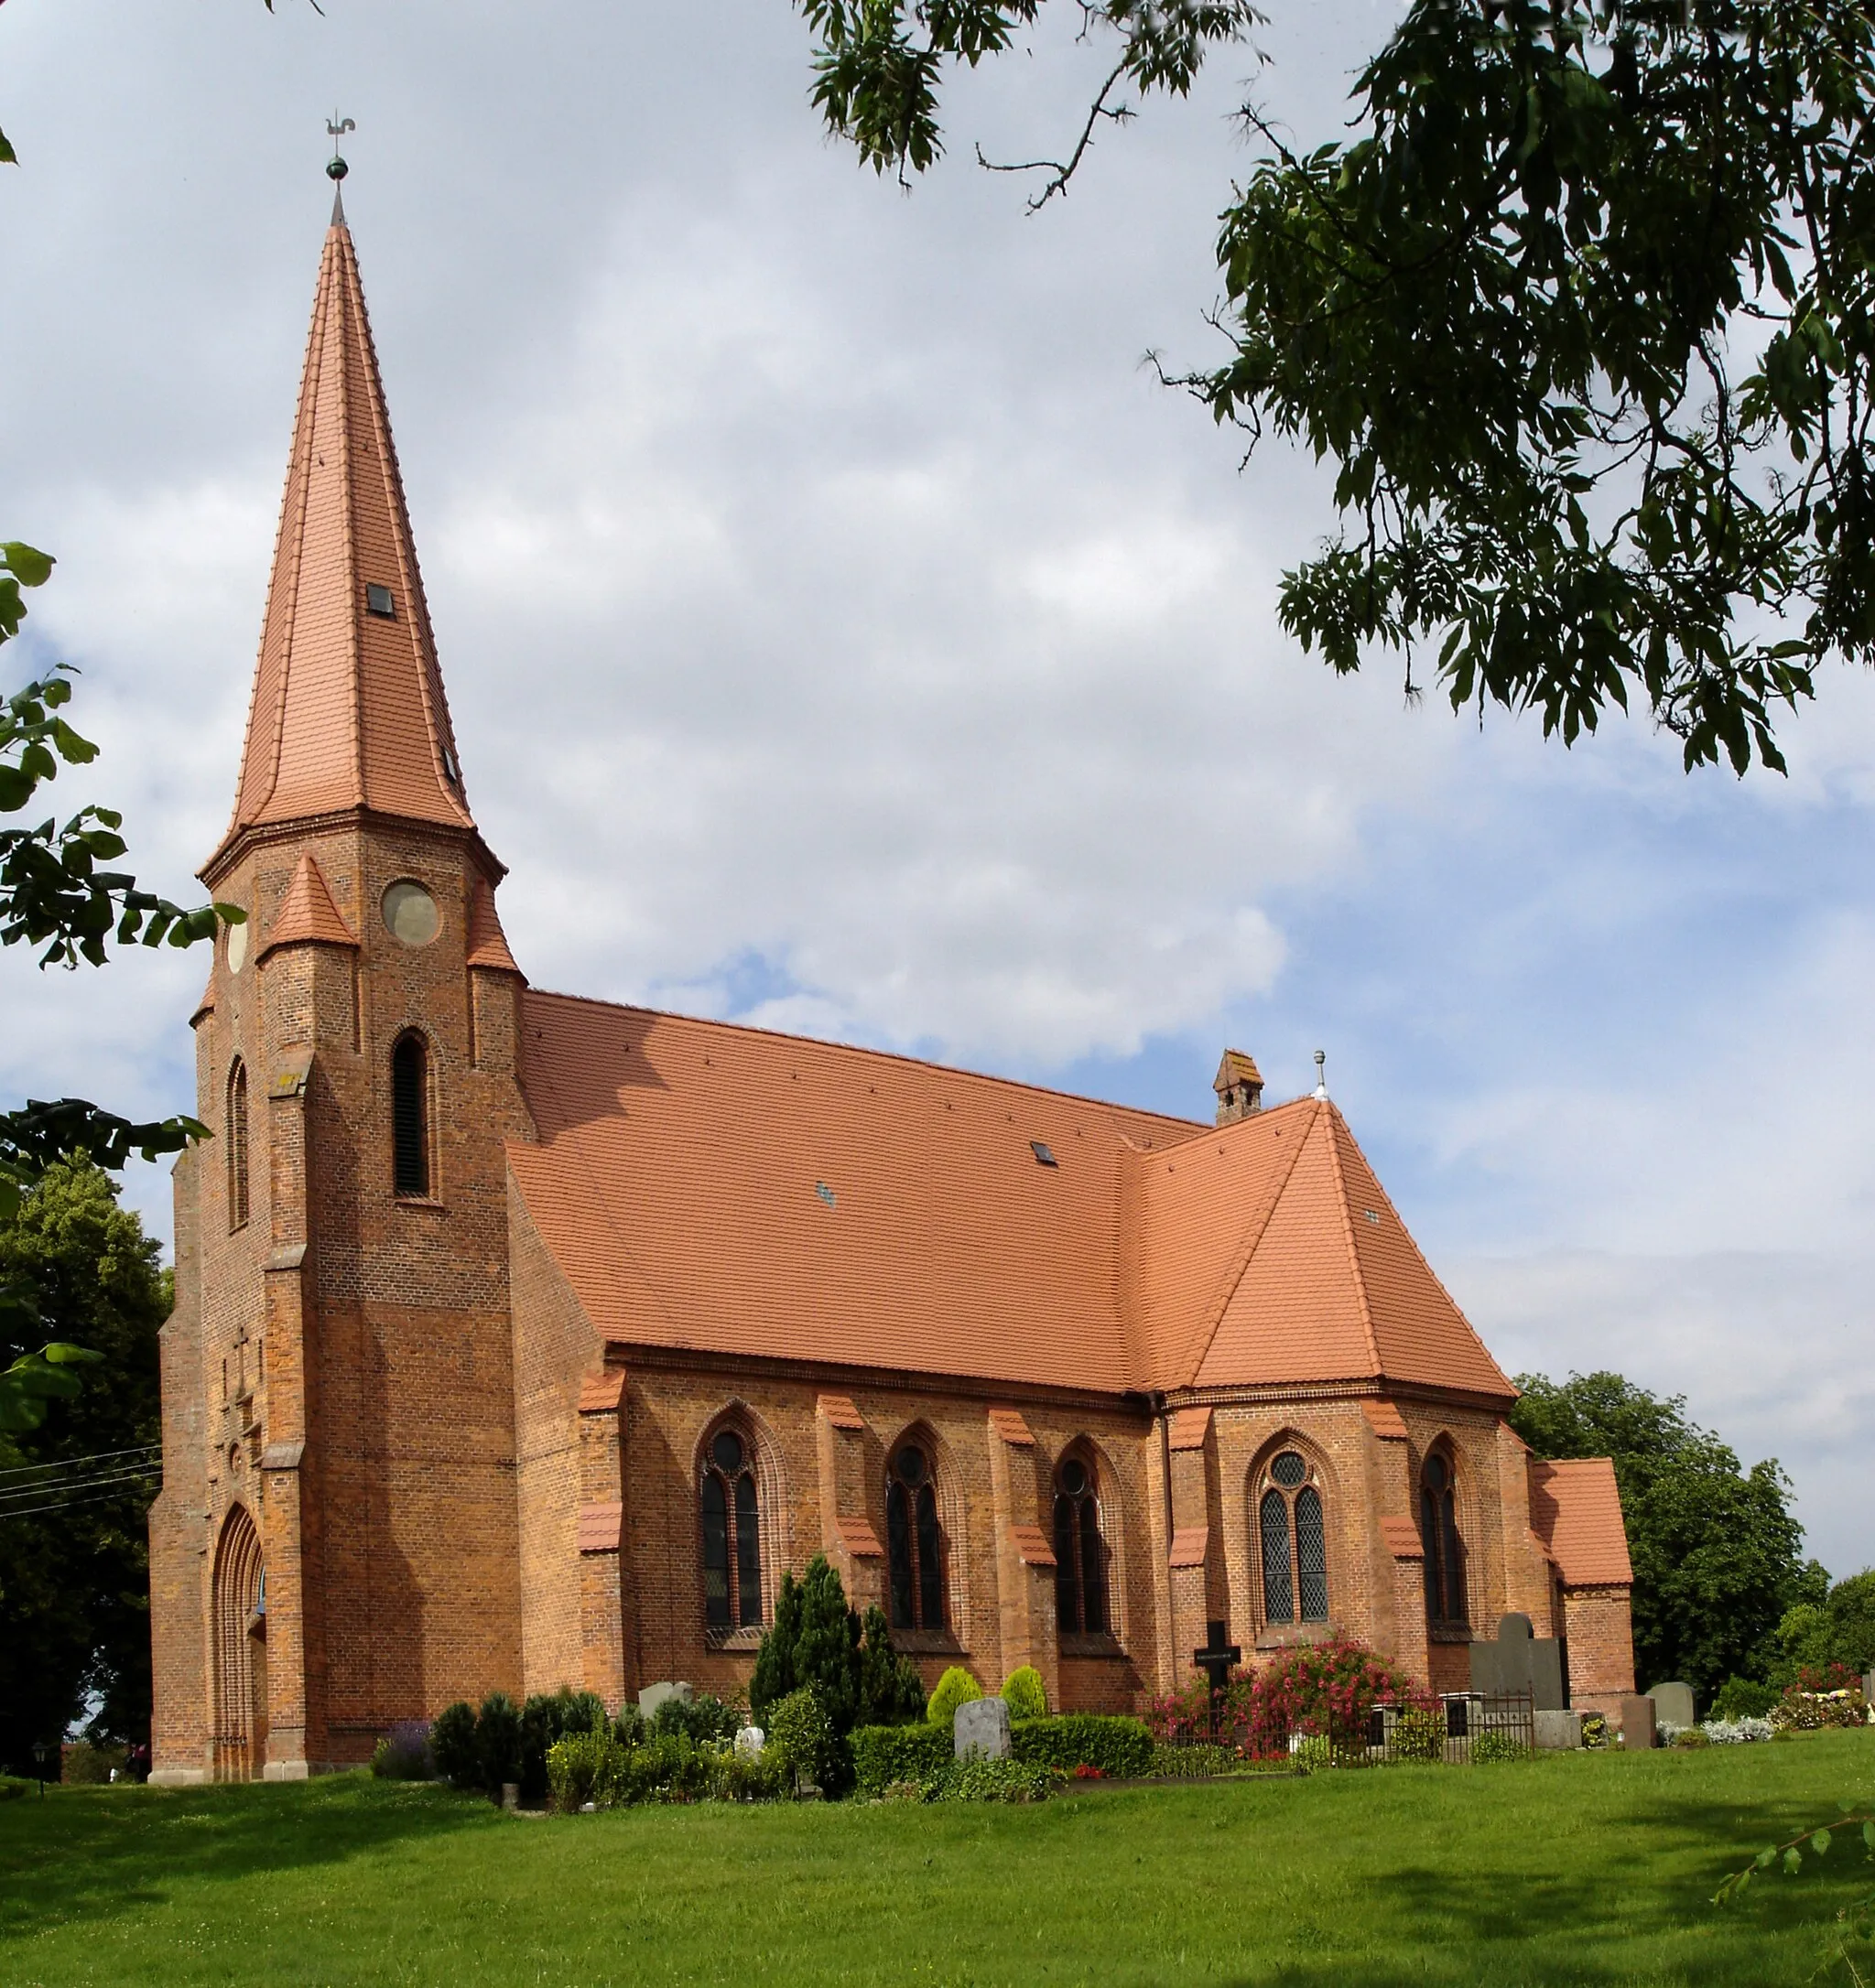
(75, 1572)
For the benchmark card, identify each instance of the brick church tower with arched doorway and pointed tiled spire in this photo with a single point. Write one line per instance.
(335, 1544)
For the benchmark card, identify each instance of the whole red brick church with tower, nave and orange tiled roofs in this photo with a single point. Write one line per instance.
(524, 1341)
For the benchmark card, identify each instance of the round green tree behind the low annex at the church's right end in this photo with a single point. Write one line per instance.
(1715, 1548)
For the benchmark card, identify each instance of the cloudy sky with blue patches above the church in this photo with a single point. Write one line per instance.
(848, 633)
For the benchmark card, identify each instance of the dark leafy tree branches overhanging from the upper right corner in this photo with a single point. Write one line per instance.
(1582, 313)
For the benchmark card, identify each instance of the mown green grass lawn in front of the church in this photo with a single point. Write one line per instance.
(1562, 1870)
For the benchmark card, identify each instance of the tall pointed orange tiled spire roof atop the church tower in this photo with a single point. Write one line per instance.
(349, 701)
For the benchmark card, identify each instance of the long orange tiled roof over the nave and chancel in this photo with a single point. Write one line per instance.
(727, 1190)
